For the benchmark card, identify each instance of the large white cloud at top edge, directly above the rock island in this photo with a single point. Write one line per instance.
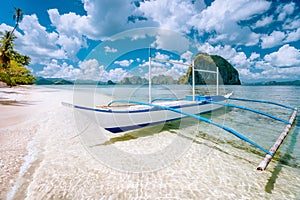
(223, 17)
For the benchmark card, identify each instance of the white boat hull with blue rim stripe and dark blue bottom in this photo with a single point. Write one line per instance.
(121, 118)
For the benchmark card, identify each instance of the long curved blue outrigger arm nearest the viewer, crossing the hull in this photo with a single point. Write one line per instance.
(209, 121)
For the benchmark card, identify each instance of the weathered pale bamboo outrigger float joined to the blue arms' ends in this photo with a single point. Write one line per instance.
(263, 165)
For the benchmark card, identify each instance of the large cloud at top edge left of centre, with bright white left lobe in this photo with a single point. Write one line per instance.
(103, 19)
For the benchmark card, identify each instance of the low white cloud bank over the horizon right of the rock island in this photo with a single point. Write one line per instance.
(253, 68)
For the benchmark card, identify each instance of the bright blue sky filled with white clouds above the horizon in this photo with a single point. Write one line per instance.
(260, 38)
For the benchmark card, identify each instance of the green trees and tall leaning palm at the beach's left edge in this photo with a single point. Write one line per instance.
(13, 69)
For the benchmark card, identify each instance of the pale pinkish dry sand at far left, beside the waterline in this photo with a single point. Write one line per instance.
(21, 112)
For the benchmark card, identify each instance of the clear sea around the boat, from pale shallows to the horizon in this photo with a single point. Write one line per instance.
(204, 162)
